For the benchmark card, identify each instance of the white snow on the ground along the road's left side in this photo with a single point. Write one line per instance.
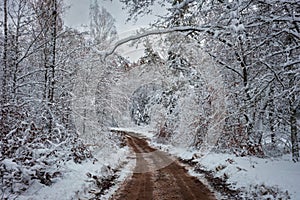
(75, 184)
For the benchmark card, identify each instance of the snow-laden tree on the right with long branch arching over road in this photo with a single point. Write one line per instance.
(246, 38)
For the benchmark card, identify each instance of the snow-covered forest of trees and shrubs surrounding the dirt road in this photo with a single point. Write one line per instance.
(219, 76)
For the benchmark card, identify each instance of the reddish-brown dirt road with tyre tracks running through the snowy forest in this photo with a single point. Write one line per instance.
(158, 177)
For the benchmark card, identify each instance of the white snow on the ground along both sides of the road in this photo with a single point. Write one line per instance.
(242, 173)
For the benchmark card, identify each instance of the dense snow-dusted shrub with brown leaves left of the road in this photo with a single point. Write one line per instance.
(30, 154)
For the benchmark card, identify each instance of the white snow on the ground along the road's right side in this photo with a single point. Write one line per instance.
(243, 173)
